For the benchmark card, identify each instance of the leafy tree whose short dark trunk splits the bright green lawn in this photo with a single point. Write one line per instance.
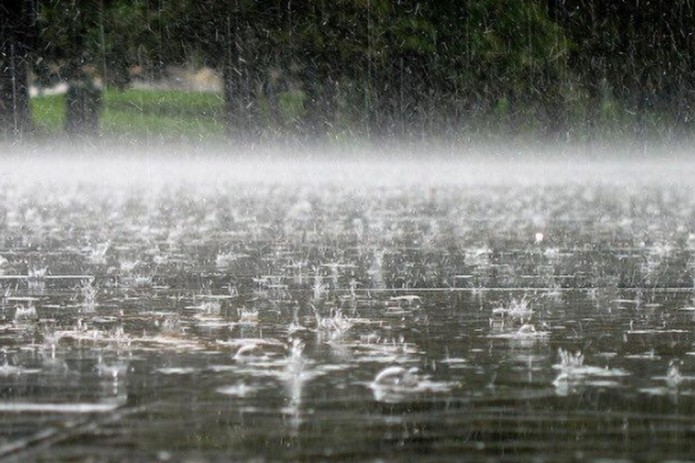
(92, 44)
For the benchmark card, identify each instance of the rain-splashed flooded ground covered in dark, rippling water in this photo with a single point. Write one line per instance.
(174, 319)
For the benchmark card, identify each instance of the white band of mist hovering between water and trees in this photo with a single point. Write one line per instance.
(201, 166)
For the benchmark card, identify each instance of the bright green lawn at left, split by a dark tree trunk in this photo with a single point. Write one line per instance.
(169, 114)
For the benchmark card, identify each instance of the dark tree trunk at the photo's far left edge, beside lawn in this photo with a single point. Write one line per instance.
(16, 39)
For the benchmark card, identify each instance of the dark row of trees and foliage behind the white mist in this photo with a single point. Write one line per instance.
(554, 68)
